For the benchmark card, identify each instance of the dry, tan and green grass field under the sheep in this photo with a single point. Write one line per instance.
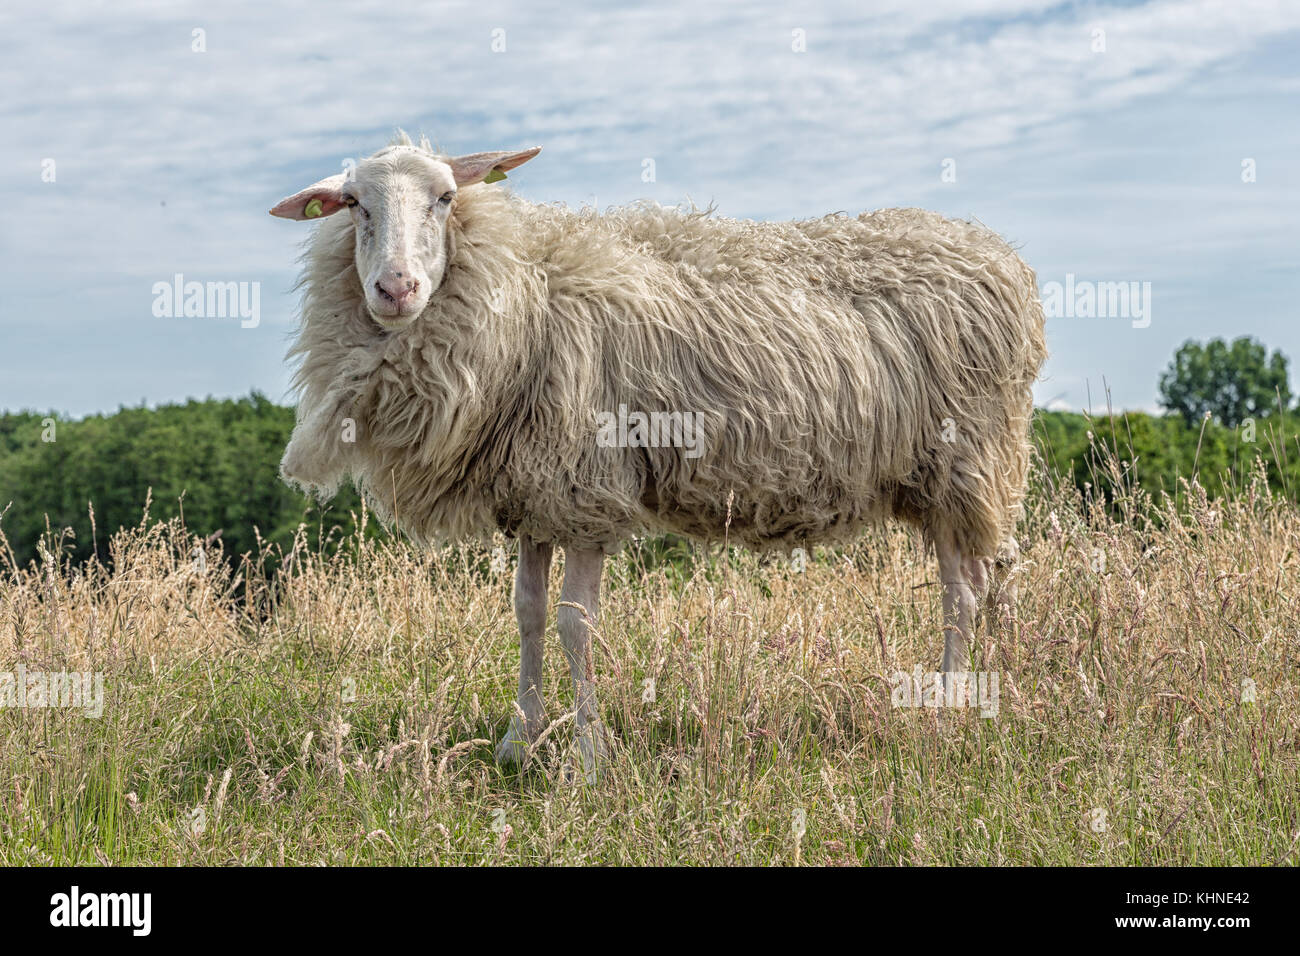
(1147, 711)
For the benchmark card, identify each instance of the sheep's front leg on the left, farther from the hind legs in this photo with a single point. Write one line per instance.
(531, 581)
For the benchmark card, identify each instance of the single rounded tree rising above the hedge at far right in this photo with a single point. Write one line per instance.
(1230, 382)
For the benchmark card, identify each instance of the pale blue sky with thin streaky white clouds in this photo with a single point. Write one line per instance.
(1150, 144)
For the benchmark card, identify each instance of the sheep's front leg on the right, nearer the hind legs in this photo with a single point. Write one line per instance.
(578, 617)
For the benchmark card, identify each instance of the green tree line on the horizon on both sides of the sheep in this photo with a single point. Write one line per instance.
(216, 462)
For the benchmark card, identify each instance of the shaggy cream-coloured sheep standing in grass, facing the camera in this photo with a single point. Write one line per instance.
(462, 353)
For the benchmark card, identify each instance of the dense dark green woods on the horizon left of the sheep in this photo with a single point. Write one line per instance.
(216, 462)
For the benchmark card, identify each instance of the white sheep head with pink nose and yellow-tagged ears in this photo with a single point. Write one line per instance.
(401, 201)
